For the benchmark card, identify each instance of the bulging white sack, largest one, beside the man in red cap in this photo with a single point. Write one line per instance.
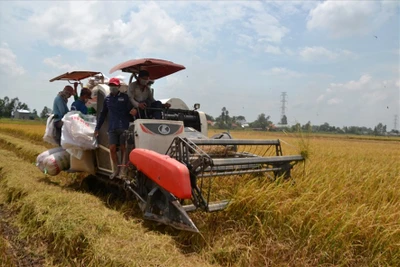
(78, 131)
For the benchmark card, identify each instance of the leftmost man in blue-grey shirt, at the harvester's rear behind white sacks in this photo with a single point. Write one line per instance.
(60, 108)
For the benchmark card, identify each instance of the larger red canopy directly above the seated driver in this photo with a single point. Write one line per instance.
(157, 68)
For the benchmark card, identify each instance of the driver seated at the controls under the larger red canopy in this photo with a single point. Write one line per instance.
(142, 97)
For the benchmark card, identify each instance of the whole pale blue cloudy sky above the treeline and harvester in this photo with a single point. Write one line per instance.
(338, 61)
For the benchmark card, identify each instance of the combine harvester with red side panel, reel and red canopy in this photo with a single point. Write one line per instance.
(174, 168)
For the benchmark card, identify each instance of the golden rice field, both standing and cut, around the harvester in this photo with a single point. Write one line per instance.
(342, 208)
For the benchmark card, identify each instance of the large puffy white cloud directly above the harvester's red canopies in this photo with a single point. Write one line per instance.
(101, 31)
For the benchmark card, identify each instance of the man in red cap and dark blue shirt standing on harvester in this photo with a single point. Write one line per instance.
(119, 110)
